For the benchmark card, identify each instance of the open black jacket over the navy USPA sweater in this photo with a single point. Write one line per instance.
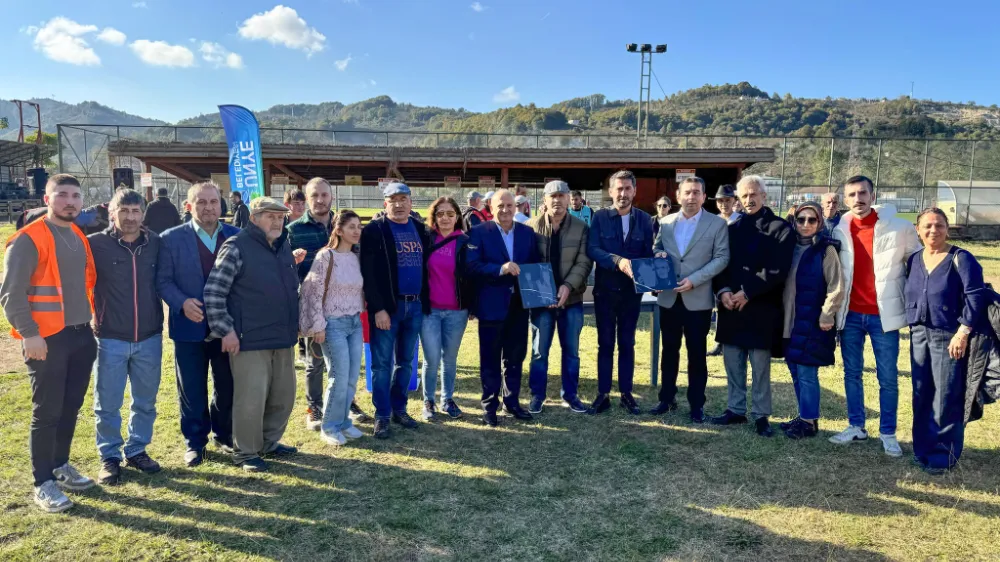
(379, 266)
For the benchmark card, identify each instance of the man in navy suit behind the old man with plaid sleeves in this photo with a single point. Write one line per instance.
(187, 254)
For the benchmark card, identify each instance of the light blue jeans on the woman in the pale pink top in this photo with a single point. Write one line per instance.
(342, 350)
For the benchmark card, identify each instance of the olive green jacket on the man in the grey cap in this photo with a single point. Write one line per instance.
(574, 265)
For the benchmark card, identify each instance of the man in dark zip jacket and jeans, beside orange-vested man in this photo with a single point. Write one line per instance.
(128, 323)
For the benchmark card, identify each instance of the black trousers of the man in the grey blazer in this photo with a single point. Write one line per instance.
(693, 325)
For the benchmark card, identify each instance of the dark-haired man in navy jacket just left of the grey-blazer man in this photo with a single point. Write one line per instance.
(617, 236)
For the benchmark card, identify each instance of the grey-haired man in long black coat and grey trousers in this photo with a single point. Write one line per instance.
(751, 317)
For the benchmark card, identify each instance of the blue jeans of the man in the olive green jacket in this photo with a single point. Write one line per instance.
(544, 323)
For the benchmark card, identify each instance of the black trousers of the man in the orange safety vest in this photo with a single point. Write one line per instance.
(58, 387)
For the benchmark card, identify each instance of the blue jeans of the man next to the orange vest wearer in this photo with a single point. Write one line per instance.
(118, 362)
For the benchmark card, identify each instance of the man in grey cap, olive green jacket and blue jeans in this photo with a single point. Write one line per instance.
(562, 241)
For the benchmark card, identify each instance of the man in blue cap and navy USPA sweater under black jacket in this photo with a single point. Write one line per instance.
(392, 265)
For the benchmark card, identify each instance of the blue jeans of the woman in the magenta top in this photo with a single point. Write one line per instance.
(441, 336)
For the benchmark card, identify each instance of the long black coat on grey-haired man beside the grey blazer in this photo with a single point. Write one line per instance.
(760, 255)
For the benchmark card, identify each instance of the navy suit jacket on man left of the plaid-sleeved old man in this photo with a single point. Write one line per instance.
(179, 277)
